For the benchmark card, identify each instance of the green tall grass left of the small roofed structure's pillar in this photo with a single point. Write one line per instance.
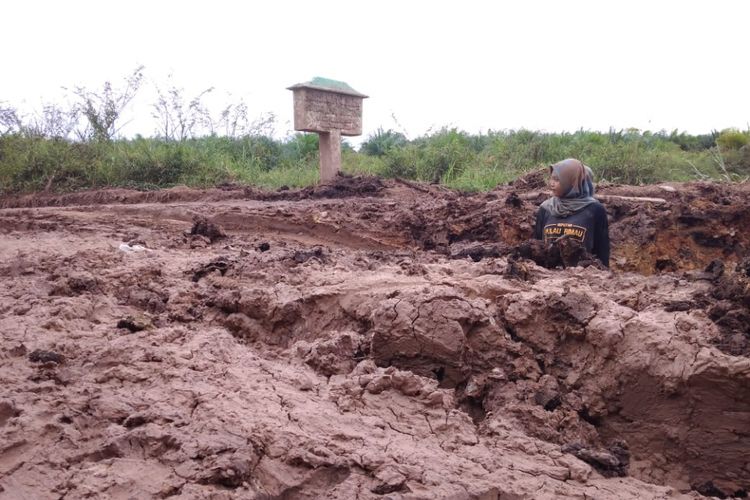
(36, 164)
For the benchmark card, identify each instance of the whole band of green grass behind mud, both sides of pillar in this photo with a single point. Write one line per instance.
(30, 162)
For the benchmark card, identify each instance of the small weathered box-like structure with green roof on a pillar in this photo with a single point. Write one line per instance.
(332, 109)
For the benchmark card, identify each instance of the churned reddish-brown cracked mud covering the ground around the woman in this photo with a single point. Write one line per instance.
(371, 339)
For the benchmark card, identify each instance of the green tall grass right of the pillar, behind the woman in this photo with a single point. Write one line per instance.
(479, 162)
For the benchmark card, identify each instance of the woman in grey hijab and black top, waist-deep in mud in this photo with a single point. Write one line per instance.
(573, 212)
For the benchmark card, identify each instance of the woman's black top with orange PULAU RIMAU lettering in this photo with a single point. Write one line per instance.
(589, 225)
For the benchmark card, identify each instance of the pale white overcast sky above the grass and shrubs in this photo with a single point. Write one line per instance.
(475, 65)
